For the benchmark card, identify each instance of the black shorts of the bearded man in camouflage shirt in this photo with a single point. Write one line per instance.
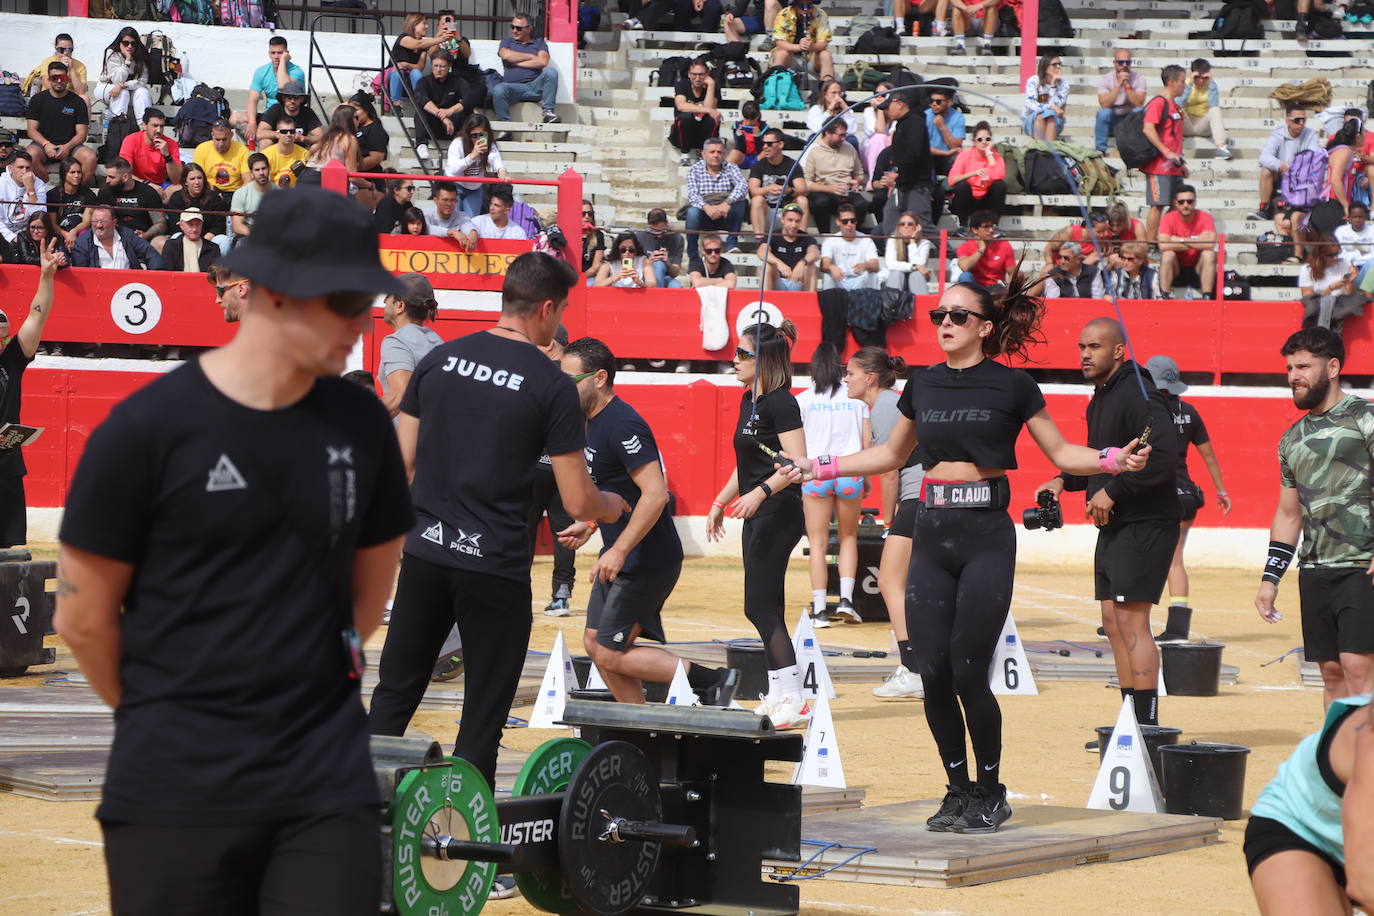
(1338, 612)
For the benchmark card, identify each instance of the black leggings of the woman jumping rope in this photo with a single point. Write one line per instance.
(958, 597)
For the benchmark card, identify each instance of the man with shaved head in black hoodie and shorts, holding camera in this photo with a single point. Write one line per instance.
(1137, 513)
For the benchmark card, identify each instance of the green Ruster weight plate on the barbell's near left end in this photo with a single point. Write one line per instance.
(436, 801)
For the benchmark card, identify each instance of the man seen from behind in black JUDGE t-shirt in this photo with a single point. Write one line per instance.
(476, 417)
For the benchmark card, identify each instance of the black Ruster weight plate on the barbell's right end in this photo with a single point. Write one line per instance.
(609, 878)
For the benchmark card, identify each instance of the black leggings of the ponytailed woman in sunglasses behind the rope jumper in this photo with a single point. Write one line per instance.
(767, 543)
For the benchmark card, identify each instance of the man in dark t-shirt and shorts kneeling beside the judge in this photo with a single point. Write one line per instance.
(642, 556)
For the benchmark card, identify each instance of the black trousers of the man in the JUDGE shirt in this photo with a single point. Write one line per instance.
(493, 616)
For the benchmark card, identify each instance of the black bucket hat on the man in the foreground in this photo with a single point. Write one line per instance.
(313, 242)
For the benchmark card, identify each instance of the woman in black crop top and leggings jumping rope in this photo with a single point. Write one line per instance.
(965, 415)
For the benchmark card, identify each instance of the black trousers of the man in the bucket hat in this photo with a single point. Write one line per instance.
(324, 865)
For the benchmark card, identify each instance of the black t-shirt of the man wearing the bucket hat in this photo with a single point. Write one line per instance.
(241, 525)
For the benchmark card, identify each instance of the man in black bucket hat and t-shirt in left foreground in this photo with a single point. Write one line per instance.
(247, 512)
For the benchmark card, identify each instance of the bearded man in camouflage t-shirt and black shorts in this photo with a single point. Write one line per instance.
(1327, 483)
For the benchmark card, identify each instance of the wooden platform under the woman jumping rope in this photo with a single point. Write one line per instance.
(1039, 838)
